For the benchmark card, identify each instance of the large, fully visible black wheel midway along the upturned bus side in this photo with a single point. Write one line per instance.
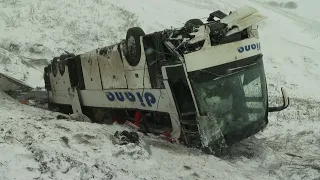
(133, 46)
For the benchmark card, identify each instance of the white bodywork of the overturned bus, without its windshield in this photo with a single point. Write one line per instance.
(110, 78)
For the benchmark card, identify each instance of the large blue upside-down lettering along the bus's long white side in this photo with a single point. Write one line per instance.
(146, 98)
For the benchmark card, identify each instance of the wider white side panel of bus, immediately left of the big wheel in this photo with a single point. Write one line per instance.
(111, 68)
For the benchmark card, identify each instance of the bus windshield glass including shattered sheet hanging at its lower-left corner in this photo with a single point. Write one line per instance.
(233, 104)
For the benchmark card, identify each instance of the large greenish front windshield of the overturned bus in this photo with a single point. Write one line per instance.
(235, 97)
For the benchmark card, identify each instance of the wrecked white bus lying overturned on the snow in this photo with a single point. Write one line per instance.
(202, 84)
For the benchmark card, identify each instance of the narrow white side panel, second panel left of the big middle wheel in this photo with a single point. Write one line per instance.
(91, 71)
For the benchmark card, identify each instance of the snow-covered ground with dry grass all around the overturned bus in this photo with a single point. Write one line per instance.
(32, 32)
